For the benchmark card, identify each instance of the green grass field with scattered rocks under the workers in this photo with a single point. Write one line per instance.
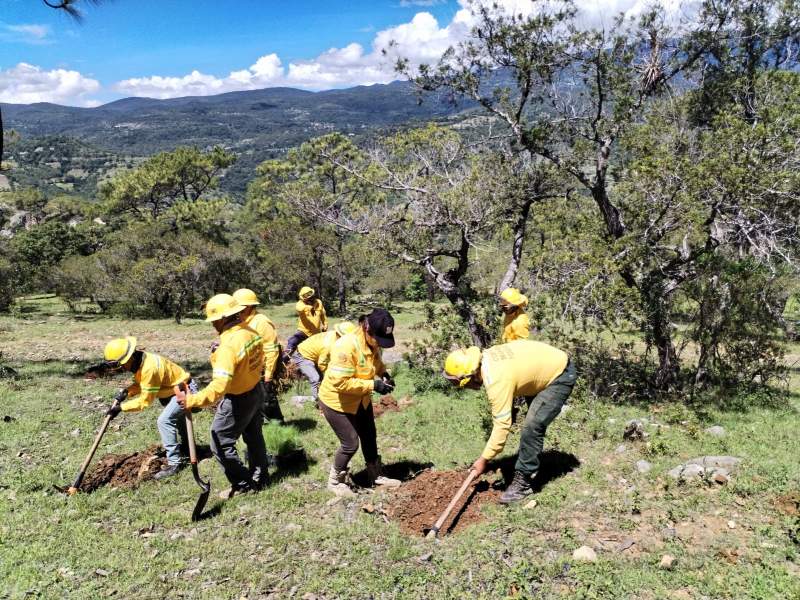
(293, 540)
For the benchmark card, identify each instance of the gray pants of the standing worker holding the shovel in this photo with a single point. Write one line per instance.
(240, 415)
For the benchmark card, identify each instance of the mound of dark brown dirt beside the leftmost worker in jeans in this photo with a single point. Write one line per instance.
(125, 470)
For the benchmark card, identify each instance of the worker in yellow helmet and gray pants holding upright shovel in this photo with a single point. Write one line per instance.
(237, 391)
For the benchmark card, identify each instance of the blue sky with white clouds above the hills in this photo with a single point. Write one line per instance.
(170, 48)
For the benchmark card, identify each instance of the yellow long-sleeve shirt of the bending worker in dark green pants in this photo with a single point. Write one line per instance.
(518, 368)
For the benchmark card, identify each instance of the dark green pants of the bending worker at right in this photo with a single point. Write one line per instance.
(542, 409)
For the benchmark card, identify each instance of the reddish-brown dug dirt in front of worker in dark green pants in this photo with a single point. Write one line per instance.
(418, 503)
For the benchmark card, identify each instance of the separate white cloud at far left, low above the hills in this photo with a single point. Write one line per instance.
(27, 83)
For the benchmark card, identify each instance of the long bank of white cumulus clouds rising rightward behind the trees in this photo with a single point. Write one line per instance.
(421, 40)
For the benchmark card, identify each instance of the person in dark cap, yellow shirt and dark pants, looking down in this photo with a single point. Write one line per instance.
(356, 371)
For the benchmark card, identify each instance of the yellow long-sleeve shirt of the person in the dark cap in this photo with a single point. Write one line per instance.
(348, 382)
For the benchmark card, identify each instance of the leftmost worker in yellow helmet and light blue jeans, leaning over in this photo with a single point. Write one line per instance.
(154, 377)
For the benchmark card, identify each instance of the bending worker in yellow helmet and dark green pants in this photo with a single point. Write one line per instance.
(544, 375)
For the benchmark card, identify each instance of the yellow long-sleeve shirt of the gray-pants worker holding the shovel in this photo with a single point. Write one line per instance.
(237, 366)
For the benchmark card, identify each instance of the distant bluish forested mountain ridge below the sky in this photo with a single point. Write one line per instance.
(257, 124)
